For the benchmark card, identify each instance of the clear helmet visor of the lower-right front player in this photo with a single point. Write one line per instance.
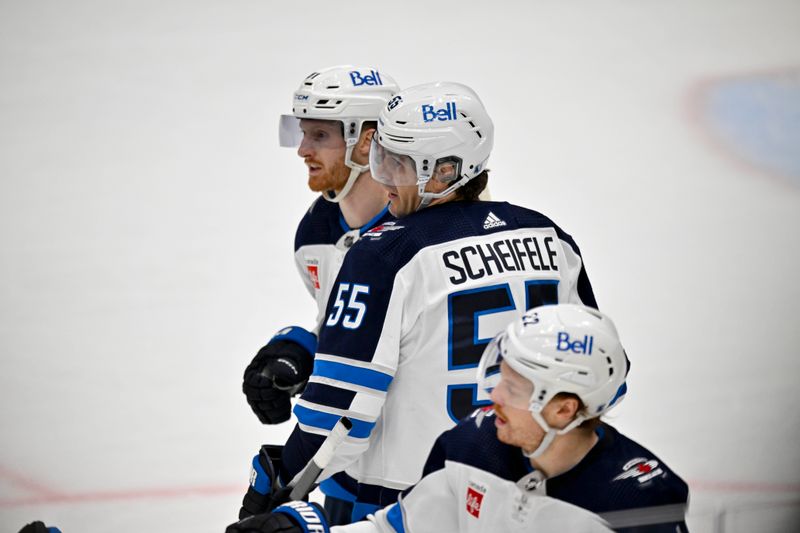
(497, 377)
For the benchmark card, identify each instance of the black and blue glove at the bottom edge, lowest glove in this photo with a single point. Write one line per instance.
(294, 517)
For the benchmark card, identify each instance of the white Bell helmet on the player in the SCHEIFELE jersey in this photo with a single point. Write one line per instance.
(429, 128)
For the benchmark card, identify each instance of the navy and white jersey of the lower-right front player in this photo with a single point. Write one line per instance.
(475, 483)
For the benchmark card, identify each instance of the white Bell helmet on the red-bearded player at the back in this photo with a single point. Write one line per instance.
(348, 94)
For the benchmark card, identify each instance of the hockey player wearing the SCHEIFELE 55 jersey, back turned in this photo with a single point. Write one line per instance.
(417, 300)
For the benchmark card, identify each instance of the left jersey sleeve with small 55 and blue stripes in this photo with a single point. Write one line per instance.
(355, 363)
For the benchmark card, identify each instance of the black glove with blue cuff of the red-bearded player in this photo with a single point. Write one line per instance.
(279, 371)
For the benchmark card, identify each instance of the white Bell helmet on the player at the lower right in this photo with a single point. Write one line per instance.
(560, 348)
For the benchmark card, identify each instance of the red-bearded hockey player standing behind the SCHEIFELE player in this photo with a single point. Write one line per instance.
(334, 114)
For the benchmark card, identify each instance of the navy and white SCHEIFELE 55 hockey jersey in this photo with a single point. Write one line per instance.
(411, 310)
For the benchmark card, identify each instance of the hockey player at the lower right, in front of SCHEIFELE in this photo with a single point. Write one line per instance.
(551, 374)
